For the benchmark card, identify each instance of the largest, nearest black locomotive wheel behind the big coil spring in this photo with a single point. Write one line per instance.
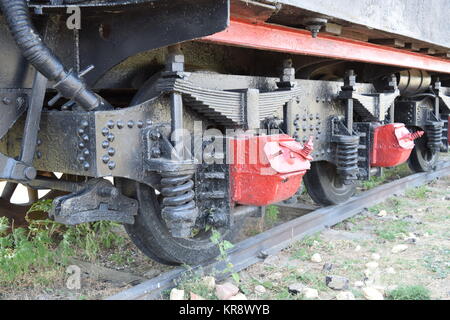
(151, 235)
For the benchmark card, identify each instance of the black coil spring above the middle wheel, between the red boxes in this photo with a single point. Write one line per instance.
(347, 157)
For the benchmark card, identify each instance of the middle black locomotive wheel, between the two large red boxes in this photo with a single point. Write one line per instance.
(324, 185)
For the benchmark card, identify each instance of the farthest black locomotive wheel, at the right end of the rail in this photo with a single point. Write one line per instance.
(422, 158)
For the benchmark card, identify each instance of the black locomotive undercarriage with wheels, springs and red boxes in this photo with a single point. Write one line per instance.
(164, 104)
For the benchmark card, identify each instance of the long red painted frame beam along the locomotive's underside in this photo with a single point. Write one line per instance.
(243, 33)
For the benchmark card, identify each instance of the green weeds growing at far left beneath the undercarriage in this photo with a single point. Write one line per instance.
(39, 253)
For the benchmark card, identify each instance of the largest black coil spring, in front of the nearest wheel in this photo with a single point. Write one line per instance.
(178, 205)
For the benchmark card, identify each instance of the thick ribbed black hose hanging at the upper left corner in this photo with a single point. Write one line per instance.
(68, 84)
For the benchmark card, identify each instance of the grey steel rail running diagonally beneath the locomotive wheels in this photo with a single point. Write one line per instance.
(257, 248)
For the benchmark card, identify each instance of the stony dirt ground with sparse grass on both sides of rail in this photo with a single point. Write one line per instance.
(358, 250)
